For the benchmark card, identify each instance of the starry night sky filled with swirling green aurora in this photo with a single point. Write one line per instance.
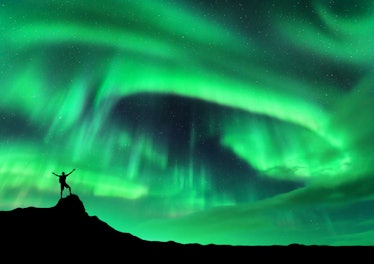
(211, 122)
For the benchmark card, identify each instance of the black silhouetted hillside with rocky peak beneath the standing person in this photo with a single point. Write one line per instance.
(66, 232)
